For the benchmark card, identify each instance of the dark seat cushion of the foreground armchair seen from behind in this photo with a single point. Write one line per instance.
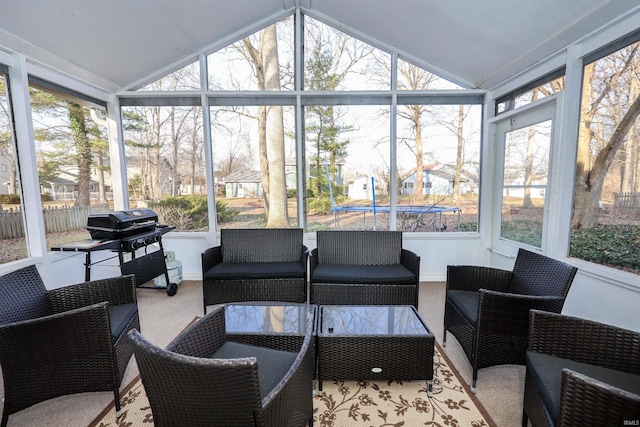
(273, 365)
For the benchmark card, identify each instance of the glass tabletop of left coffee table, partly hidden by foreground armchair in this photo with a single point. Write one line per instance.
(268, 319)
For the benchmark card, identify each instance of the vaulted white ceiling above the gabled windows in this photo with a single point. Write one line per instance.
(119, 44)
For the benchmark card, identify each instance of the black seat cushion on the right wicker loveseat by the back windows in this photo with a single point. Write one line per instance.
(361, 274)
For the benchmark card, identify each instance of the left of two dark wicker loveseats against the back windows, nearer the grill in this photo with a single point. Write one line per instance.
(266, 264)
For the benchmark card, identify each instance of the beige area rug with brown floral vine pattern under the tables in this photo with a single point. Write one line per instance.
(355, 403)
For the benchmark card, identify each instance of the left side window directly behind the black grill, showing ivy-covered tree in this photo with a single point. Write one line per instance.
(73, 161)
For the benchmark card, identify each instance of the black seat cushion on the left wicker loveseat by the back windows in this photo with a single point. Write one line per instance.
(255, 270)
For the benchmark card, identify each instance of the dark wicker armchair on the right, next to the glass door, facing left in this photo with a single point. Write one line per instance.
(487, 309)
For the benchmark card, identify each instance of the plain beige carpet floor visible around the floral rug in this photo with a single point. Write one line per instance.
(500, 388)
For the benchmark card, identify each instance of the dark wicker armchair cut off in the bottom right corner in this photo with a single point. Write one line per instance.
(581, 372)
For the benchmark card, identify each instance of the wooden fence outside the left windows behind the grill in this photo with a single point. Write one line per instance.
(56, 219)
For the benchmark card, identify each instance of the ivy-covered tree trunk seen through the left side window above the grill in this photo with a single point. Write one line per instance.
(83, 148)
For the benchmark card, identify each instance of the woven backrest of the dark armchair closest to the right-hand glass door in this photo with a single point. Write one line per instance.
(537, 274)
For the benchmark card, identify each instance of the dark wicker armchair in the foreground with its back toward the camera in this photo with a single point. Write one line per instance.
(203, 379)
